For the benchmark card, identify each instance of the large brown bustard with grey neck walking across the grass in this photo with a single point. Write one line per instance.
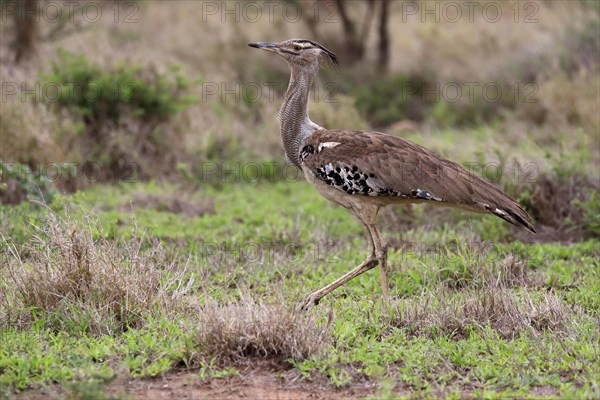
(365, 171)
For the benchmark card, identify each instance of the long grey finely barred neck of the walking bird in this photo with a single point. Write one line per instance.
(293, 115)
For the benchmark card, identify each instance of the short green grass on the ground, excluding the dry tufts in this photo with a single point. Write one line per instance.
(270, 243)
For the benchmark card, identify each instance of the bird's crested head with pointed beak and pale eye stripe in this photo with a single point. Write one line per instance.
(298, 52)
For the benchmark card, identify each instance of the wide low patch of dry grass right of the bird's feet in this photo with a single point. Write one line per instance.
(507, 313)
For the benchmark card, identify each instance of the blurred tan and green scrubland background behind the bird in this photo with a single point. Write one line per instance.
(131, 95)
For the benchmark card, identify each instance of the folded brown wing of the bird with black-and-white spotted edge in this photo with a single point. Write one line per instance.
(375, 164)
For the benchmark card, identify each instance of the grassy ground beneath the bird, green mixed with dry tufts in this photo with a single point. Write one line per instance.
(496, 319)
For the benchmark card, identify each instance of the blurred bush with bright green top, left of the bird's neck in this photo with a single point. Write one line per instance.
(124, 113)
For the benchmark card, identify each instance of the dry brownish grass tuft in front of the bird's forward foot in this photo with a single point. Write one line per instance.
(248, 329)
